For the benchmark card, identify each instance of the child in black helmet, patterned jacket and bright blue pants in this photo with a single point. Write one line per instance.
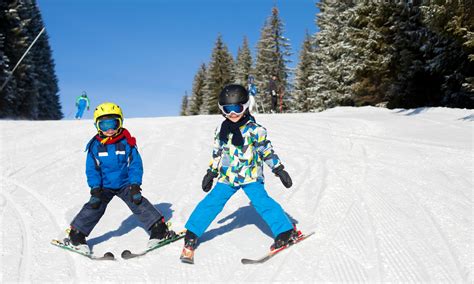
(240, 149)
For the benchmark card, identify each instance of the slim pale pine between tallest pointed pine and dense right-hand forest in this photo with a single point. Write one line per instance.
(303, 97)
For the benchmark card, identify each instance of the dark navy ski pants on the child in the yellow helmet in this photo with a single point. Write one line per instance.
(88, 217)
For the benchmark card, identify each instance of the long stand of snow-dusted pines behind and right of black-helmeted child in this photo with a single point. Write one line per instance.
(398, 54)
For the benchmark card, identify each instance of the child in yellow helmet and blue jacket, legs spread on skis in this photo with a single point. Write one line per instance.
(114, 168)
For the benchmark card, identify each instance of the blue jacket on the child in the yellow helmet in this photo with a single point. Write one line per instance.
(113, 166)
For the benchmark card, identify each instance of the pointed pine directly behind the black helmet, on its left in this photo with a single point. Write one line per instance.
(220, 73)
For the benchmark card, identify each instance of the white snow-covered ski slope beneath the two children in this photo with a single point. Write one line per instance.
(389, 194)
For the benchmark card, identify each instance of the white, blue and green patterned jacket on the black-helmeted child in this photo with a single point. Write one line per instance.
(241, 165)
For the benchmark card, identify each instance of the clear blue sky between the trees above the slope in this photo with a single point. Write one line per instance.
(143, 54)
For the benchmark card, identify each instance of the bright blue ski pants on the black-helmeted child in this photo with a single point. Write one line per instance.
(206, 211)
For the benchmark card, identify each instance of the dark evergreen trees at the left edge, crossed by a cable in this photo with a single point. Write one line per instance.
(32, 90)
